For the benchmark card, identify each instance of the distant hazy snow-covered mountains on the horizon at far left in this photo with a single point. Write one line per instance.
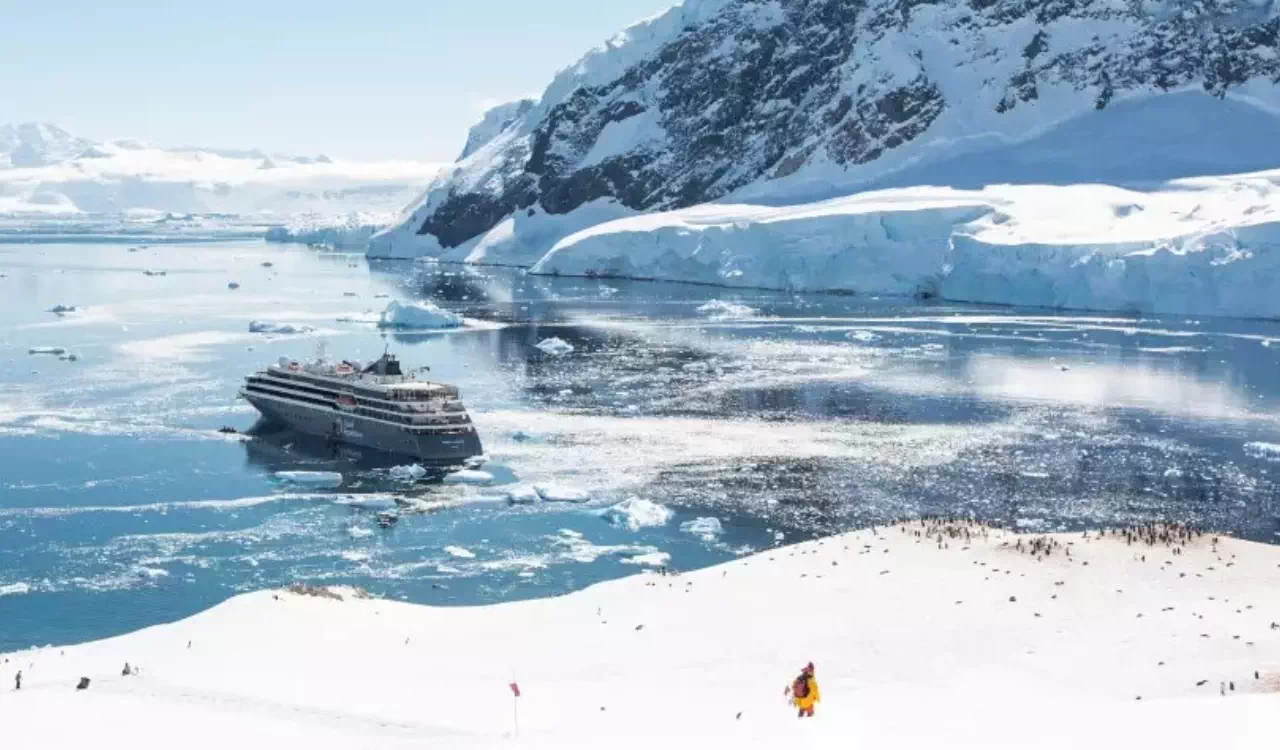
(45, 171)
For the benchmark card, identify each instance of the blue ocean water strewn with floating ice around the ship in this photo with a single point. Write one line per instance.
(780, 417)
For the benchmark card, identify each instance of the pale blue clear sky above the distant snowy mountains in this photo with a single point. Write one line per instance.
(369, 80)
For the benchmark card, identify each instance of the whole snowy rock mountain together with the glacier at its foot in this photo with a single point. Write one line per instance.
(1086, 156)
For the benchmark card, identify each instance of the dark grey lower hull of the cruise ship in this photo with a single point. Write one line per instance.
(442, 450)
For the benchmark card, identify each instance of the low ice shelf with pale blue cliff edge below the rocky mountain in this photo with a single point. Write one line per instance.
(1206, 246)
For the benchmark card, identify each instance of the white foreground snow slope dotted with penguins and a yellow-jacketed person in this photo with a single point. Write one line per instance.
(918, 643)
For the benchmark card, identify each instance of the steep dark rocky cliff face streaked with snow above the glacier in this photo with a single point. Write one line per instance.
(767, 97)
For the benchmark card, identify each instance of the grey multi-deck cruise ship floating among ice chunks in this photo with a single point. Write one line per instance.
(376, 406)
